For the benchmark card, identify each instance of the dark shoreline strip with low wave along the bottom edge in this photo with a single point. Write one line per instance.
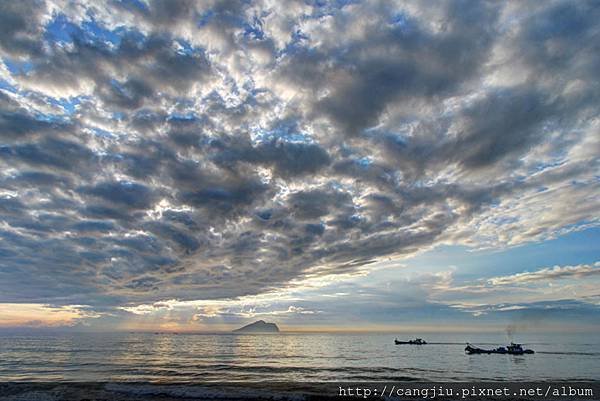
(147, 391)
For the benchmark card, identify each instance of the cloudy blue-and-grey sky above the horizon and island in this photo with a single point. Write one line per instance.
(325, 165)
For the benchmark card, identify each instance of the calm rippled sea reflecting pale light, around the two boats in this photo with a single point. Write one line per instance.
(185, 358)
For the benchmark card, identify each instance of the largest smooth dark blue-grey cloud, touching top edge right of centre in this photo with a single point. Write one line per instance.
(397, 62)
